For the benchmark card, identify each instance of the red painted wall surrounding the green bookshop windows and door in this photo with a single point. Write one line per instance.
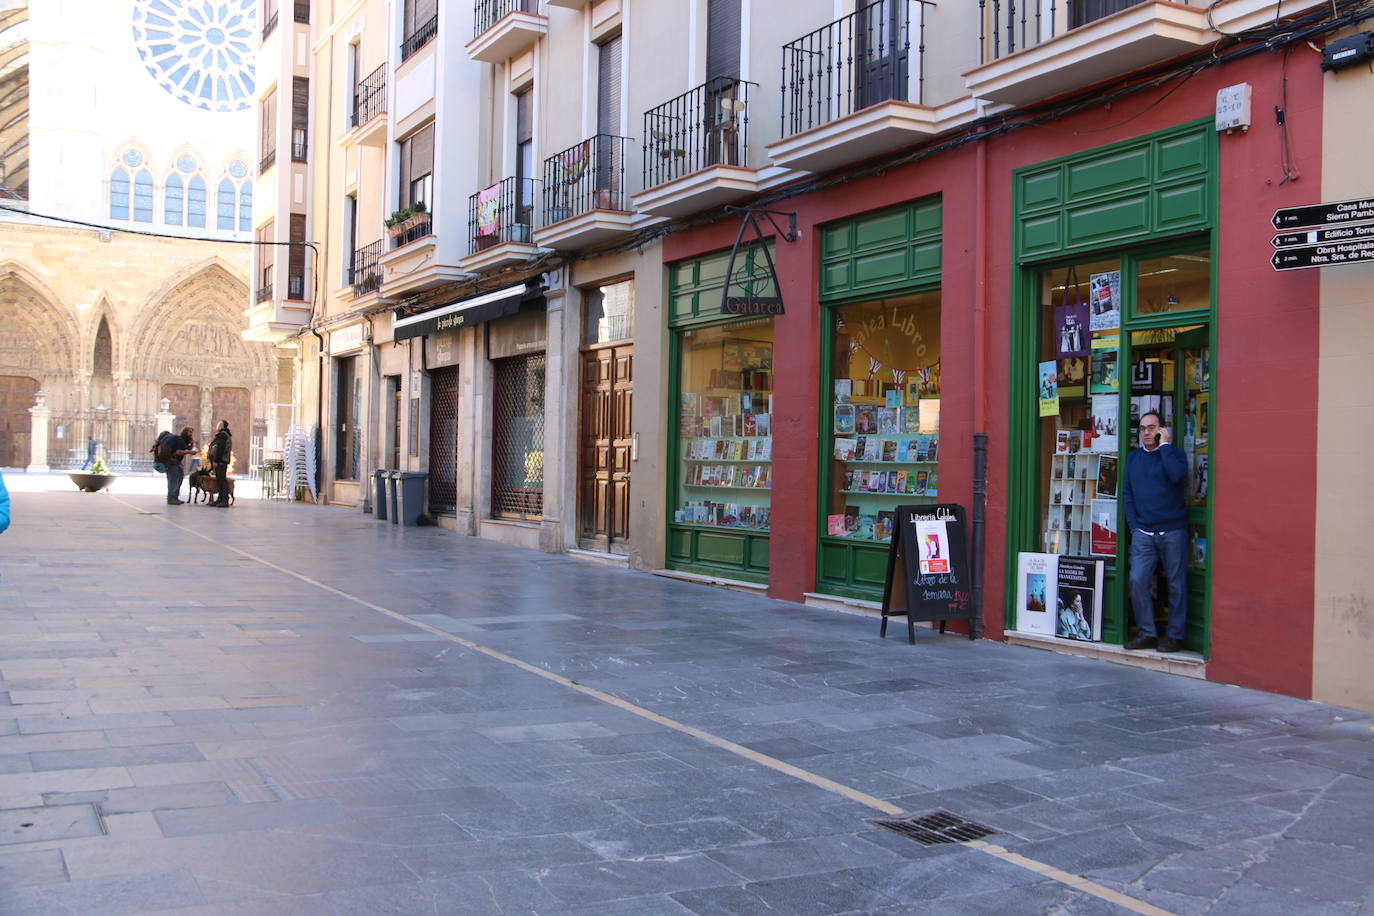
(1265, 366)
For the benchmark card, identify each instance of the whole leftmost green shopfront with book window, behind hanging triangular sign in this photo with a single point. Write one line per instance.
(721, 466)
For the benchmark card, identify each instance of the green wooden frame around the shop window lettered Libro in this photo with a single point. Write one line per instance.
(894, 252)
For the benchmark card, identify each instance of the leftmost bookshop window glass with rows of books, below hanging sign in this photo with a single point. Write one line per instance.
(725, 436)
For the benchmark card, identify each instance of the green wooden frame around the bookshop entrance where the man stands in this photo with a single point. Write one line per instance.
(1134, 200)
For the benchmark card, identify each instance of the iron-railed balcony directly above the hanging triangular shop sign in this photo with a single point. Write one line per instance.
(696, 153)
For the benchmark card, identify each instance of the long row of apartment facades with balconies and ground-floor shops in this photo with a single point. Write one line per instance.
(677, 259)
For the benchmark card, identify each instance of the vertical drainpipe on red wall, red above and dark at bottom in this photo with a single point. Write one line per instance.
(980, 395)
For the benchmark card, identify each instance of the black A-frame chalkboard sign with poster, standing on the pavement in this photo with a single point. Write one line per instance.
(928, 569)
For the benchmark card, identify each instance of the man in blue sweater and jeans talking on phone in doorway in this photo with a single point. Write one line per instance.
(1158, 514)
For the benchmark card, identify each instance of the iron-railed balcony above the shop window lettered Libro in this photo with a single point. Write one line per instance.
(854, 89)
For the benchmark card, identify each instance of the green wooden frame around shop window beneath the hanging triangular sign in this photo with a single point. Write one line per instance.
(695, 293)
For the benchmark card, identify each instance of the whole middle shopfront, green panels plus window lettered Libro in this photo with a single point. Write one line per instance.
(880, 293)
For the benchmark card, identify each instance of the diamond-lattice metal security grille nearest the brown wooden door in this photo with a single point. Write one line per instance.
(519, 437)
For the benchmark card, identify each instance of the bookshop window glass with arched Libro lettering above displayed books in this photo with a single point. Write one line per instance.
(886, 414)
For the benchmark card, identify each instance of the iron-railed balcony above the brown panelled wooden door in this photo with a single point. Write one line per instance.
(585, 194)
